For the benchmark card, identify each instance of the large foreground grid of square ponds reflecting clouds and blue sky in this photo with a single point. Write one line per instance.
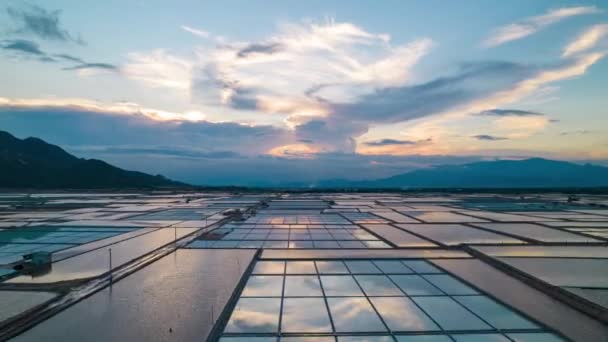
(369, 300)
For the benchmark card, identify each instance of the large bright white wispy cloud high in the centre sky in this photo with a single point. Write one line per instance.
(273, 75)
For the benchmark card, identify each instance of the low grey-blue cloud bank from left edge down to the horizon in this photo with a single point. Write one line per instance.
(198, 152)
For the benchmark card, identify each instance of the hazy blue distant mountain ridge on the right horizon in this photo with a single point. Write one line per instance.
(526, 173)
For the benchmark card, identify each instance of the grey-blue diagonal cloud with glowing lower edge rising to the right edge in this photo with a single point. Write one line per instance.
(474, 88)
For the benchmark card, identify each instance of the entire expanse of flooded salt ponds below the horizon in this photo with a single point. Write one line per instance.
(297, 266)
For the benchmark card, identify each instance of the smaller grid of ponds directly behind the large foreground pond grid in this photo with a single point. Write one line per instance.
(247, 235)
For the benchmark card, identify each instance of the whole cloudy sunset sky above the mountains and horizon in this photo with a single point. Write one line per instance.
(281, 92)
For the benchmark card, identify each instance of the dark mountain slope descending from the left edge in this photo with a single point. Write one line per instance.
(33, 163)
